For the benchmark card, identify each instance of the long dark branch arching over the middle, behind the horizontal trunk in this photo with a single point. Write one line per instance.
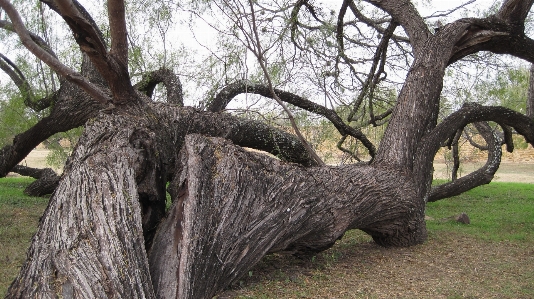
(243, 86)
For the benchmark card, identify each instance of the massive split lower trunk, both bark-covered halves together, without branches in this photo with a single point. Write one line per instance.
(231, 207)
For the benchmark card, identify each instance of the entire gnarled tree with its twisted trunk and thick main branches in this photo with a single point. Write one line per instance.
(231, 207)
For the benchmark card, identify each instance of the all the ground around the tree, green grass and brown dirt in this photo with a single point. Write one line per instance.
(493, 257)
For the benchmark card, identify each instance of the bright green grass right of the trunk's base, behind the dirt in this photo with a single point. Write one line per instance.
(498, 212)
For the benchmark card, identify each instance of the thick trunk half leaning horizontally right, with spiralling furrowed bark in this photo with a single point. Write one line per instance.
(231, 207)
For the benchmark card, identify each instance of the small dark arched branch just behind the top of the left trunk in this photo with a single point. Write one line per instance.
(169, 79)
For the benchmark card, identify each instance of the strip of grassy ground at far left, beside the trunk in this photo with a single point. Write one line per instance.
(19, 215)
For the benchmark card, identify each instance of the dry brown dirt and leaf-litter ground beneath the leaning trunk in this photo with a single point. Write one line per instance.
(447, 266)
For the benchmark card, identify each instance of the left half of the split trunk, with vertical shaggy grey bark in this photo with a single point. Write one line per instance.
(90, 243)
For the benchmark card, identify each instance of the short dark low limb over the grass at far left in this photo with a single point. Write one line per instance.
(46, 181)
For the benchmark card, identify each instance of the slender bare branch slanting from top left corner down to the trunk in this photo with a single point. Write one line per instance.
(49, 59)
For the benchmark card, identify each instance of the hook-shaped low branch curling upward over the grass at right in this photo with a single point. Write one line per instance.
(482, 176)
